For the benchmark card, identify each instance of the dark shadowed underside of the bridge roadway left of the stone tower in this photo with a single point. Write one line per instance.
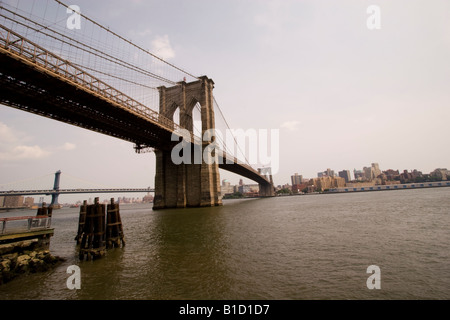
(25, 87)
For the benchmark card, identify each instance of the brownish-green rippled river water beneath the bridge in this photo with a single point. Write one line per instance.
(299, 247)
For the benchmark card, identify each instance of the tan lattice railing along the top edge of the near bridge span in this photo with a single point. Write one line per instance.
(15, 43)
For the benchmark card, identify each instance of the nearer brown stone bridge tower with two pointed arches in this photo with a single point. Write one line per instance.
(187, 185)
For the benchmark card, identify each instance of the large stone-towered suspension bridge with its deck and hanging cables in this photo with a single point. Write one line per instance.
(80, 79)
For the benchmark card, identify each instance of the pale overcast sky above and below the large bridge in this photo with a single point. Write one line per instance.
(342, 96)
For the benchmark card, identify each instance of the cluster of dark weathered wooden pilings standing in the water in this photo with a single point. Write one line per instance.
(99, 228)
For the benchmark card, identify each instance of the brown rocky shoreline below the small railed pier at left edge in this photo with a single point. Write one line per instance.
(24, 257)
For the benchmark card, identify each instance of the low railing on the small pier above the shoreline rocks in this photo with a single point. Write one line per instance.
(24, 224)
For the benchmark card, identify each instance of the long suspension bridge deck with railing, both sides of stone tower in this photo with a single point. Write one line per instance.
(36, 80)
